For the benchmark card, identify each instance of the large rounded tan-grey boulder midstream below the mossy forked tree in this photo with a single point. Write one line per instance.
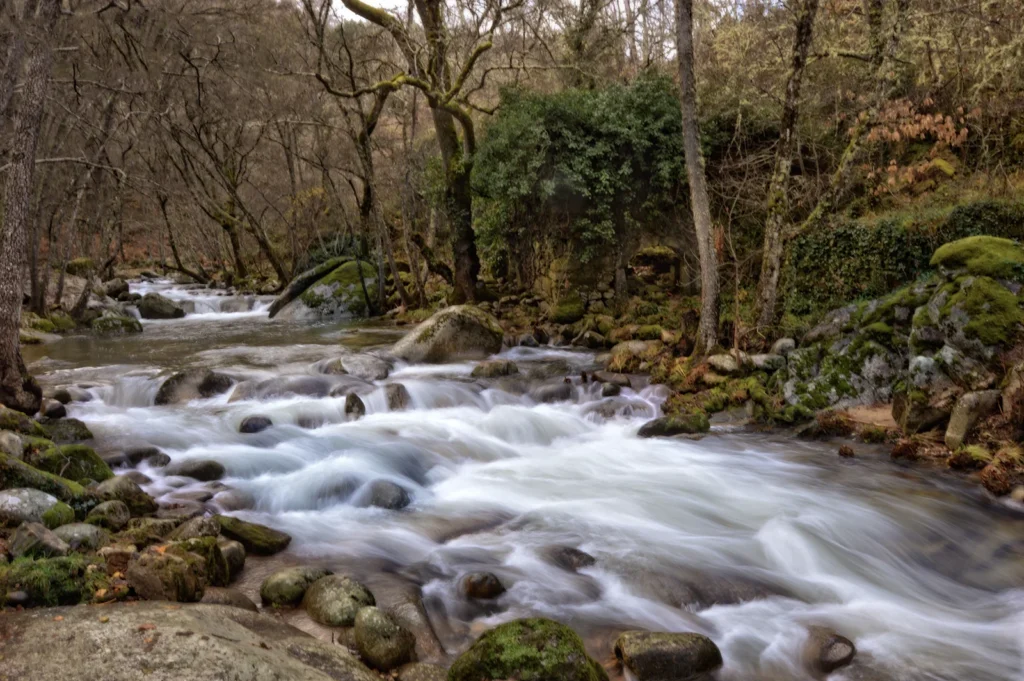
(461, 332)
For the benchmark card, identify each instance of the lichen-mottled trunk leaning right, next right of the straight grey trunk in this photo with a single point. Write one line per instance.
(777, 223)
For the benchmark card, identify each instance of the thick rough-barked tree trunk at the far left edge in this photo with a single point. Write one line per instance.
(18, 390)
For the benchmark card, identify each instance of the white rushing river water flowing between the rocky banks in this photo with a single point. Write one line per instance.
(747, 537)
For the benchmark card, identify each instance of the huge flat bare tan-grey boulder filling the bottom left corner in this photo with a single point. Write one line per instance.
(199, 643)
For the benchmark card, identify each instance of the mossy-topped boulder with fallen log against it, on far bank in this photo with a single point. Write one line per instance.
(338, 294)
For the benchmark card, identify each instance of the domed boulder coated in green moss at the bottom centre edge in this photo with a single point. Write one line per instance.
(534, 650)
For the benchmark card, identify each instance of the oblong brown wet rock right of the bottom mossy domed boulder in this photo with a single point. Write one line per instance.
(664, 657)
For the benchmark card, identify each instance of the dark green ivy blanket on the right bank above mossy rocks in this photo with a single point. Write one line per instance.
(855, 260)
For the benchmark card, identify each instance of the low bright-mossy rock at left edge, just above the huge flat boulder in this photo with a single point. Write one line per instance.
(63, 581)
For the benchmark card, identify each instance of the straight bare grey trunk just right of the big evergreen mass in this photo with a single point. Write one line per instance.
(708, 329)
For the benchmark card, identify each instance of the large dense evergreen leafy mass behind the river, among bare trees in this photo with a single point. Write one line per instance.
(579, 167)
